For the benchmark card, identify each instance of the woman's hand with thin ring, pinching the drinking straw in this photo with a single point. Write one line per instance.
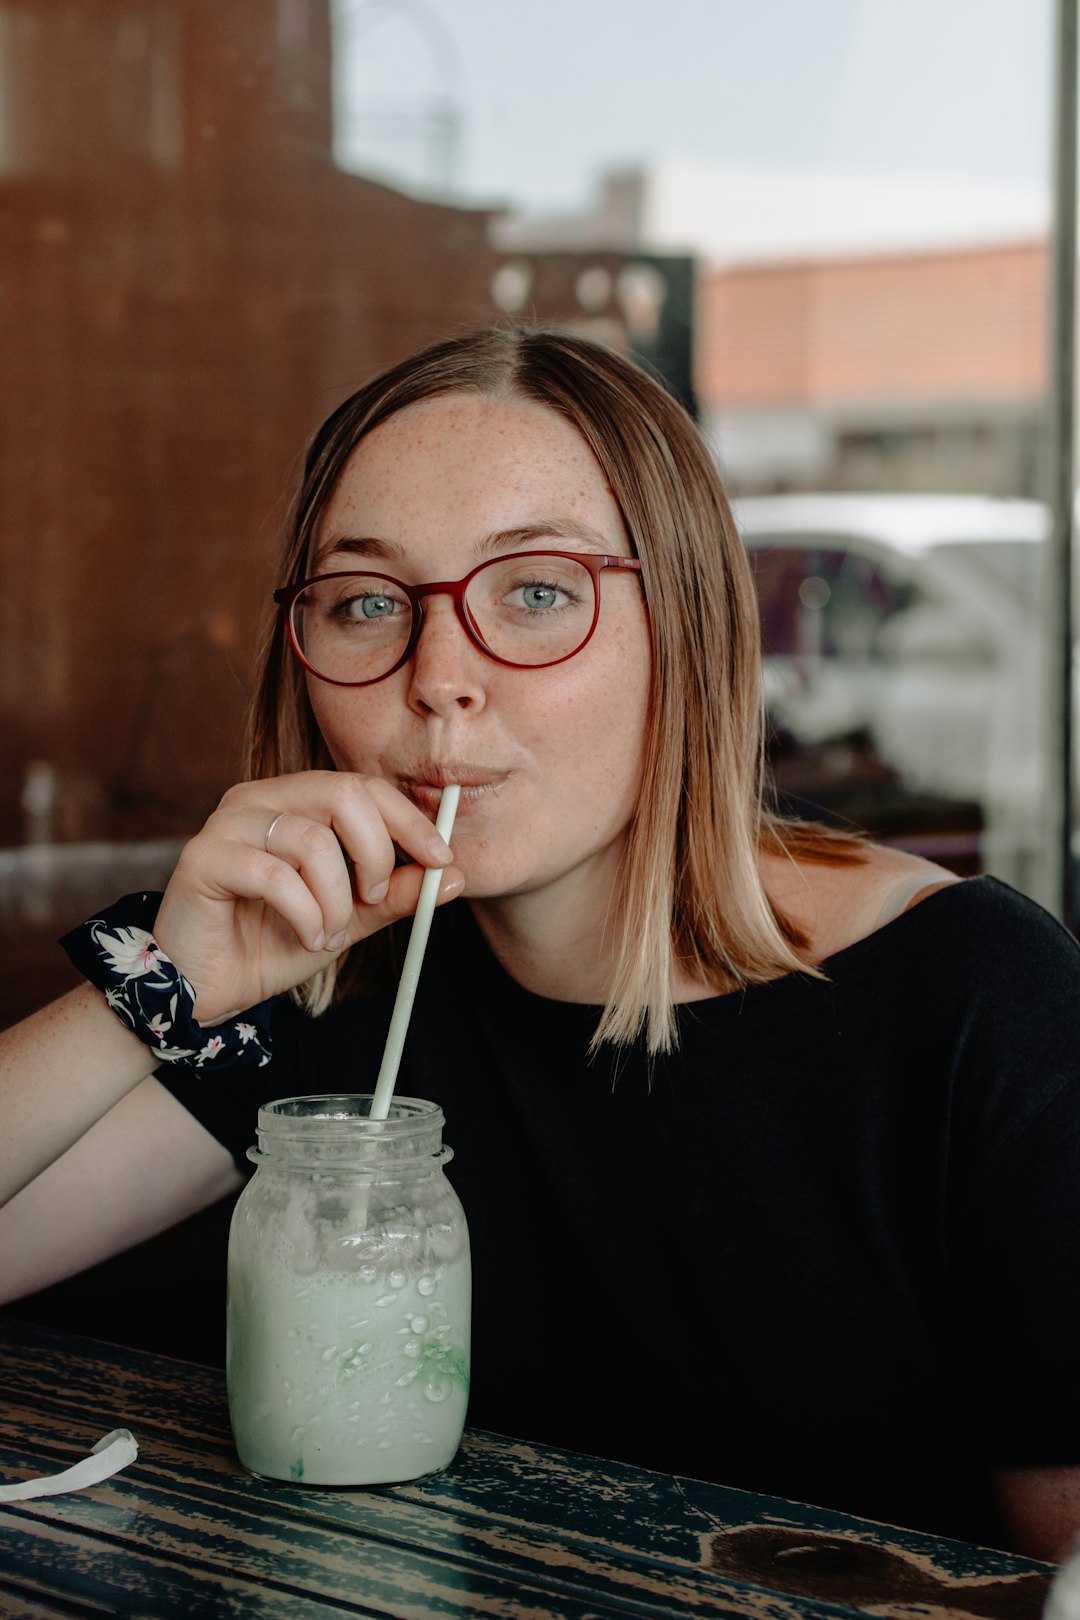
(244, 921)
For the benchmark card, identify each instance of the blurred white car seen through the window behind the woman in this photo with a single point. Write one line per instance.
(903, 667)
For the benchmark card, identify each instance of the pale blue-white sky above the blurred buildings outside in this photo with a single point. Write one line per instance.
(548, 96)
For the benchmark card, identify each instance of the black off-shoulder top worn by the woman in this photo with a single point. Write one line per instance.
(831, 1251)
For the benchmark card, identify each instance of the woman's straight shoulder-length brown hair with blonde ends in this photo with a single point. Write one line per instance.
(692, 893)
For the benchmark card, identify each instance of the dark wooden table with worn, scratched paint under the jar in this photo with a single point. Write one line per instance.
(509, 1530)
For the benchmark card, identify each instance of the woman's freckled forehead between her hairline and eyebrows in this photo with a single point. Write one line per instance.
(461, 466)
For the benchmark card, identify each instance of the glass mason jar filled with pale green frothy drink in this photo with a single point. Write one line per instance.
(349, 1297)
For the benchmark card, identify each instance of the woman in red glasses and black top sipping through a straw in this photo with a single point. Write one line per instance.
(768, 1138)
